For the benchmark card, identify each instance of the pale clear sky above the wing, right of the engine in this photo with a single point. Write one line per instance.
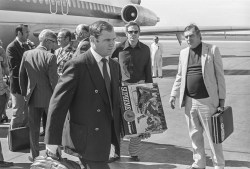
(200, 12)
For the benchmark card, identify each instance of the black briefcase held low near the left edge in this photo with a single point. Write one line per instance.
(18, 139)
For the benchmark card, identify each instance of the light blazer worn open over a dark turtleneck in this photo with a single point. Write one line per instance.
(212, 72)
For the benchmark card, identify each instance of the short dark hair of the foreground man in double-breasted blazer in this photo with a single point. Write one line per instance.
(96, 28)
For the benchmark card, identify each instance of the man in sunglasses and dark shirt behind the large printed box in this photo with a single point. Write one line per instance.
(135, 62)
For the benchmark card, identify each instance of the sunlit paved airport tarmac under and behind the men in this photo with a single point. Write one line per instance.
(172, 149)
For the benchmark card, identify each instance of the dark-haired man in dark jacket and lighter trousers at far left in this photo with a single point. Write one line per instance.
(14, 53)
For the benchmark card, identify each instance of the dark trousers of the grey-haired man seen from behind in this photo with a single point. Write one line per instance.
(34, 116)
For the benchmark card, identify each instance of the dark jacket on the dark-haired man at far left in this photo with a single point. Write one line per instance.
(14, 53)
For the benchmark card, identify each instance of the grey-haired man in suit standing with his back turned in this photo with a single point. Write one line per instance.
(38, 78)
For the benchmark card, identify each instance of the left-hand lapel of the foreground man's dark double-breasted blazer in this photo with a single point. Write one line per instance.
(96, 76)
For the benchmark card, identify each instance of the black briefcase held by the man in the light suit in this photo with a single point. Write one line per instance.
(222, 125)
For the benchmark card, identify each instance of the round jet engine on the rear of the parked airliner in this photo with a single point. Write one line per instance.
(139, 14)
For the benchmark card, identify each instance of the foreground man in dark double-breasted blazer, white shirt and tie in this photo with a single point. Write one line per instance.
(89, 89)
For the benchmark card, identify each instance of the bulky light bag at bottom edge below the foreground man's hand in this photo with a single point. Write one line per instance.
(44, 162)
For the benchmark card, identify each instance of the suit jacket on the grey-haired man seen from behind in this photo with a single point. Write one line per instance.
(38, 76)
